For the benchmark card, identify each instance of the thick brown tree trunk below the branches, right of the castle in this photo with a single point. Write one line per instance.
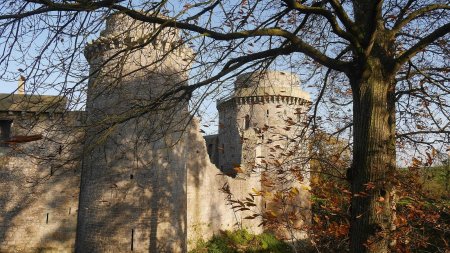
(372, 205)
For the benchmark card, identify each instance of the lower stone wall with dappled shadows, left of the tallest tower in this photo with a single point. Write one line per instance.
(39, 183)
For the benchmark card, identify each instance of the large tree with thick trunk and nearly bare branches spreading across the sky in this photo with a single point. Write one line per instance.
(386, 61)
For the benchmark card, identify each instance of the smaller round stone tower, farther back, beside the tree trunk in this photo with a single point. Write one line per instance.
(262, 135)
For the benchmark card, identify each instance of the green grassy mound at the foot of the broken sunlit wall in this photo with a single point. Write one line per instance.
(242, 241)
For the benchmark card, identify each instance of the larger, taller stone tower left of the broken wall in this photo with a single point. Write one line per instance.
(133, 194)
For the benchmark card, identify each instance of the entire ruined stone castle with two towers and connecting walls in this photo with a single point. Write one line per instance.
(132, 173)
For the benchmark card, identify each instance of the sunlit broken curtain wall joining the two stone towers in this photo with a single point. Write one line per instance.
(208, 208)
